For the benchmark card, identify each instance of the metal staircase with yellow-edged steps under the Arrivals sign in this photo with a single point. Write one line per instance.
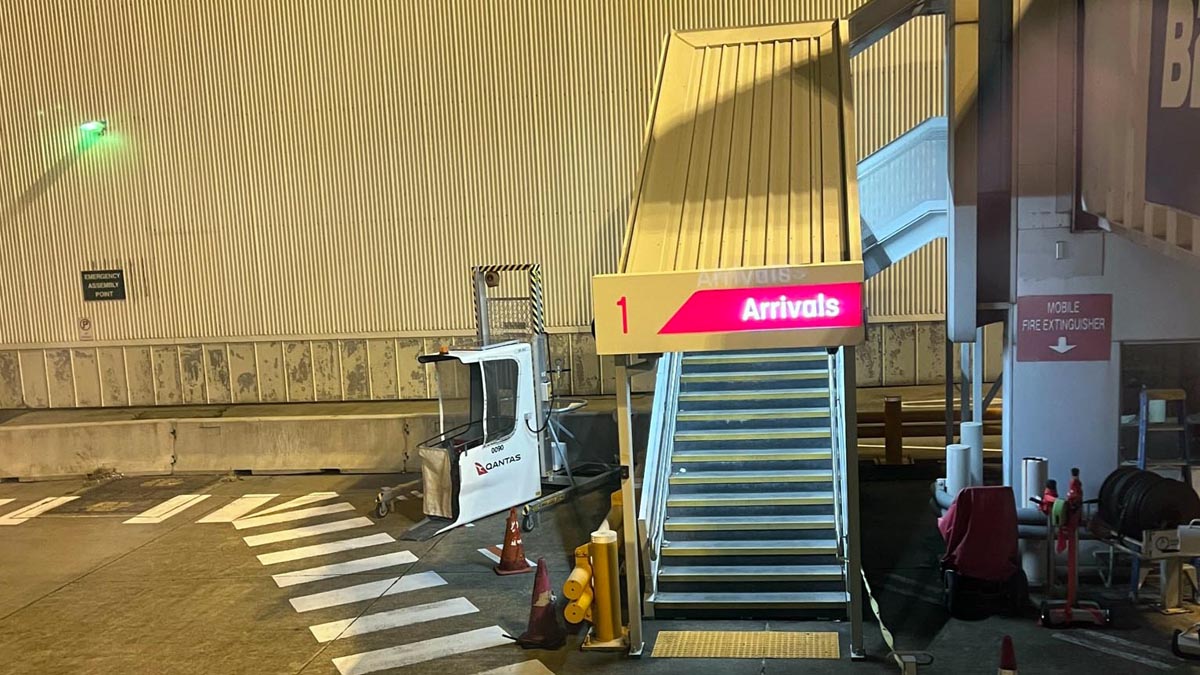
(751, 519)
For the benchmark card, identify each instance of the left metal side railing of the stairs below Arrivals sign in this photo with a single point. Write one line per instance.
(657, 473)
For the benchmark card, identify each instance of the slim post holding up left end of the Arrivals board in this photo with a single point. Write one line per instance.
(628, 505)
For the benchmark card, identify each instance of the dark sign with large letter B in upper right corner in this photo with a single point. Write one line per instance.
(1173, 164)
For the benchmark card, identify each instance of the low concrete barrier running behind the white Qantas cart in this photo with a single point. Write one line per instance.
(255, 445)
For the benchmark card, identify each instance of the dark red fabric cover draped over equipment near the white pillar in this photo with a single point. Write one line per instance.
(980, 530)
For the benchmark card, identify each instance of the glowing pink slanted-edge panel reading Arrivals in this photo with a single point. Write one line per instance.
(771, 308)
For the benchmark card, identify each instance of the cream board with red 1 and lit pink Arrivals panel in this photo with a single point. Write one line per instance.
(735, 309)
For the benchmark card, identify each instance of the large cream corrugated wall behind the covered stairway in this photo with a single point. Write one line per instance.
(332, 169)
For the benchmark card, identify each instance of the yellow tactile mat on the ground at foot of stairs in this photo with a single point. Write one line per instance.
(746, 644)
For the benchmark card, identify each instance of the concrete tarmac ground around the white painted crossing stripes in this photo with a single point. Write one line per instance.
(86, 593)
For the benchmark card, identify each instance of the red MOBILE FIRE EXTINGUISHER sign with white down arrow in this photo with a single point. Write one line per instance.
(1065, 328)
